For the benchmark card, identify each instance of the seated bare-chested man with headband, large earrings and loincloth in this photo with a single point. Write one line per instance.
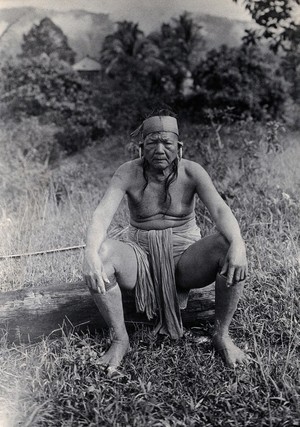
(164, 256)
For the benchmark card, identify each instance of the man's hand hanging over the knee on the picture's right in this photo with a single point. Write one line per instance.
(235, 266)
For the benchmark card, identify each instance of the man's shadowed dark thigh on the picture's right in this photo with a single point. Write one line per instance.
(200, 263)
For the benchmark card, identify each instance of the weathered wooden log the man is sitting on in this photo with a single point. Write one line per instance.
(27, 315)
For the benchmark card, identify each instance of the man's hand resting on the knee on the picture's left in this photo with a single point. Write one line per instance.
(94, 273)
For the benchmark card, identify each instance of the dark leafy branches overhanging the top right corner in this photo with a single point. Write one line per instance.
(276, 17)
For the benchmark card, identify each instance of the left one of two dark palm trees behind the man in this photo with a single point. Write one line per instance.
(130, 62)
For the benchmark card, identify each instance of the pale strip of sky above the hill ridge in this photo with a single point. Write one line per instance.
(138, 10)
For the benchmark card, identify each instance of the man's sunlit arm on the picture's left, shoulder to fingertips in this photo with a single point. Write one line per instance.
(97, 231)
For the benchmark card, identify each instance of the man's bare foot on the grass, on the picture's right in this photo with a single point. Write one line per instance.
(231, 354)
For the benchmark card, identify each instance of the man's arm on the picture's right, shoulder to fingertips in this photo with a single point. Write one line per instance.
(235, 264)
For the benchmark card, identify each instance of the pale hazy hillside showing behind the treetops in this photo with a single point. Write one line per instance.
(86, 31)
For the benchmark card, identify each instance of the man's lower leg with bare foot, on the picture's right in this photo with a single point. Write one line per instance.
(226, 303)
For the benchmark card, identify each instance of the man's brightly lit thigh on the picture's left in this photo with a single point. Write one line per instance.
(119, 258)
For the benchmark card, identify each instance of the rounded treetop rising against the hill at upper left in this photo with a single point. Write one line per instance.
(47, 38)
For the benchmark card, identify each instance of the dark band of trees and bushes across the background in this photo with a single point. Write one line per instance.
(140, 72)
